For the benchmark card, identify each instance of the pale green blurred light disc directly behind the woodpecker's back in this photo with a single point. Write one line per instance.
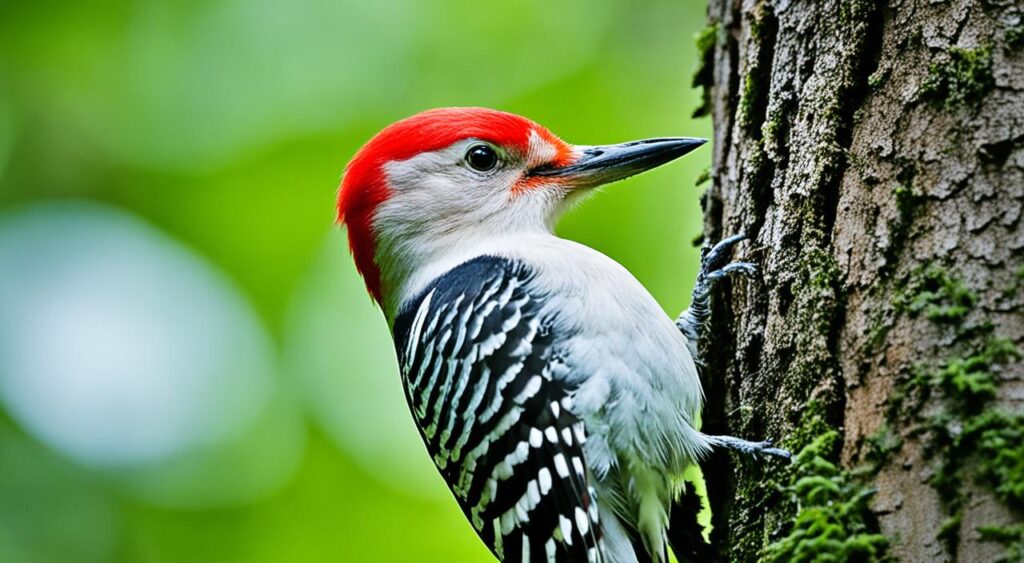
(339, 348)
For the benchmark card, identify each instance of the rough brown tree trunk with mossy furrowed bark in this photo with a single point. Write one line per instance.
(874, 154)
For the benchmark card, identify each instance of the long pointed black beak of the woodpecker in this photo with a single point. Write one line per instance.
(602, 165)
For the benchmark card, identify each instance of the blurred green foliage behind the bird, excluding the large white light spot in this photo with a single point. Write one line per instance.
(227, 125)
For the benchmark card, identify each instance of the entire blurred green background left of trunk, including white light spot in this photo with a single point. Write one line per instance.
(191, 370)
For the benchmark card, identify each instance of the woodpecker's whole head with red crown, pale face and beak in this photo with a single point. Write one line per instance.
(453, 177)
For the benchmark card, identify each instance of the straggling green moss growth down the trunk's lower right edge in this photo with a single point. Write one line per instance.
(971, 439)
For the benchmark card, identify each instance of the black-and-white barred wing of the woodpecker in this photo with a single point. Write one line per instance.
(479, 364)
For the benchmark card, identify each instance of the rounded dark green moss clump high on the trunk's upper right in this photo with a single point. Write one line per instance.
(965, 78)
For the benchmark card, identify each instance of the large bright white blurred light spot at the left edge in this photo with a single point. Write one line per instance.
(118, 347)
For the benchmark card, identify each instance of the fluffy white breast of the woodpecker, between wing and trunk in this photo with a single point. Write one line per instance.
(633, 371)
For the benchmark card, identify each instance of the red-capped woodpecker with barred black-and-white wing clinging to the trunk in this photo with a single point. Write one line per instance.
(557, 399)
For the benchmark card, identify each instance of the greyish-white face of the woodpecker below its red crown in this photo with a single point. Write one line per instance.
(445, 199)
